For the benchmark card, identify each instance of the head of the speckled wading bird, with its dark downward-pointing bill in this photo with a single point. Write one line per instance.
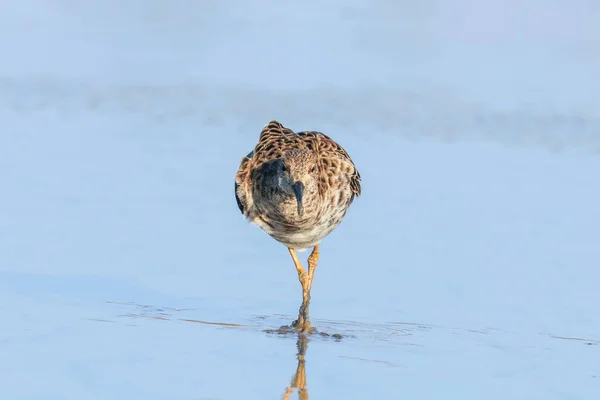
(298, 174)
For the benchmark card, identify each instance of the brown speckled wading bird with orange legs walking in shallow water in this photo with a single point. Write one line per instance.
(297, 187)
